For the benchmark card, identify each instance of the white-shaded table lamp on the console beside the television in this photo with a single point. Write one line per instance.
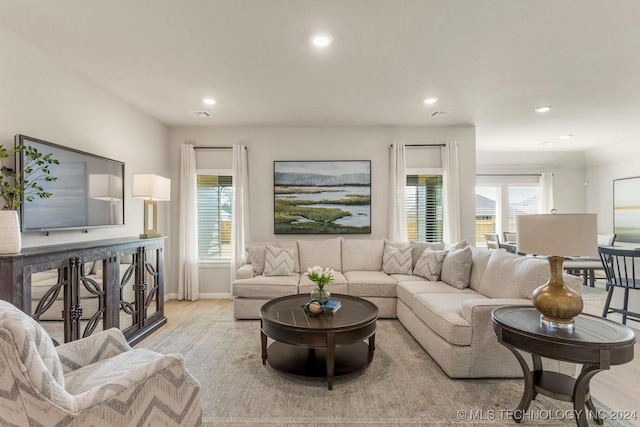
(152, 188)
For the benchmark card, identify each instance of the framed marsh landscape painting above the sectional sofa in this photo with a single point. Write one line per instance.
(322, 197)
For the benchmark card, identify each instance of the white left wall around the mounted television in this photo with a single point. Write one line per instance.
(43, 99)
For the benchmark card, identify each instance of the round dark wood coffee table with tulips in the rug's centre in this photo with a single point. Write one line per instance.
(327, 345)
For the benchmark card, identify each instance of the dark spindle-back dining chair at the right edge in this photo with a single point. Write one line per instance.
(620, 268)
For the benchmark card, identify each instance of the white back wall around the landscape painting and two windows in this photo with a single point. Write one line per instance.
(267, 144)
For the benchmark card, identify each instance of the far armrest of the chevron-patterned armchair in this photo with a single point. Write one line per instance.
(96, 347)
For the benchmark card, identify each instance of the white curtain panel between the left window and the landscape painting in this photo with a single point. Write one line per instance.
(240, 222)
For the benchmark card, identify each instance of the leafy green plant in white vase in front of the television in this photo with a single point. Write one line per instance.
(15, 186)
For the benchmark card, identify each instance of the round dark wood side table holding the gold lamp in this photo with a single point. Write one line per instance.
(596, 343)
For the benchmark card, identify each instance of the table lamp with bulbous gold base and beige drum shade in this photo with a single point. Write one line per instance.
(558, 236)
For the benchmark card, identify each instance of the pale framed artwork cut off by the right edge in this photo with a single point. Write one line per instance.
(626, 209)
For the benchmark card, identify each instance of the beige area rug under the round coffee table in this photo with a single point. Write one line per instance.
(403, 385)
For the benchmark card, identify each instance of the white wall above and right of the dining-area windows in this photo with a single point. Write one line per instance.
(568, 170)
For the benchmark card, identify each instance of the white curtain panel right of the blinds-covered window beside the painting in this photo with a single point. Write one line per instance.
(451, 196)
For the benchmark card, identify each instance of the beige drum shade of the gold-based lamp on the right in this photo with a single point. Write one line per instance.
(557, 234)
